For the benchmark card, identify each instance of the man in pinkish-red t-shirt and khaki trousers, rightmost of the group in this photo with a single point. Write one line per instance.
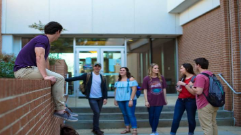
(206, 112)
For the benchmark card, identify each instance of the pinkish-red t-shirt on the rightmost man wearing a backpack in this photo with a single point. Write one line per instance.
(202, 81)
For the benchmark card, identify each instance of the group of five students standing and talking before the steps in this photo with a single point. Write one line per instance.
(190, 98)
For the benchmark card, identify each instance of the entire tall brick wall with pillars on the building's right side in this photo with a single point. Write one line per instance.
(215, 36)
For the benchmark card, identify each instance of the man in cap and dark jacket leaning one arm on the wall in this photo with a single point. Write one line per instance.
(96, 92)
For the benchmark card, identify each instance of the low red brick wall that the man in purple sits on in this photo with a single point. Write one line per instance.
(27, 108)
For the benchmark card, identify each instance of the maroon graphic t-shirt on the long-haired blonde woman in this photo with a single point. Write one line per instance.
(155, 94)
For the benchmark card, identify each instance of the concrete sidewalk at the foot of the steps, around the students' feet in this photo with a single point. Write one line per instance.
(222, 130)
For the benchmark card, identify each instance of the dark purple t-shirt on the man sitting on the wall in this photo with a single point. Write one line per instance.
(27, 56)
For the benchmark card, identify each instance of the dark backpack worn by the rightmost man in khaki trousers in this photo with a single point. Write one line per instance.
(216, 94)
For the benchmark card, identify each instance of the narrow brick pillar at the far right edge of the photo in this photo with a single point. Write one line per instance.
(235, 46)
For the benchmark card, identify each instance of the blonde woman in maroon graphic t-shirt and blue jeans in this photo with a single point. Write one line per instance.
(154, 86)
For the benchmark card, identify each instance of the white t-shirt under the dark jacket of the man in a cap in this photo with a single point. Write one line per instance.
(95, 91)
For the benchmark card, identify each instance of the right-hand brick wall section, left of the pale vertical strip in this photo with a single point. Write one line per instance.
(207, 36)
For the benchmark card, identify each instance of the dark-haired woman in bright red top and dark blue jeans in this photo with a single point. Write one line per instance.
(186, 100)
